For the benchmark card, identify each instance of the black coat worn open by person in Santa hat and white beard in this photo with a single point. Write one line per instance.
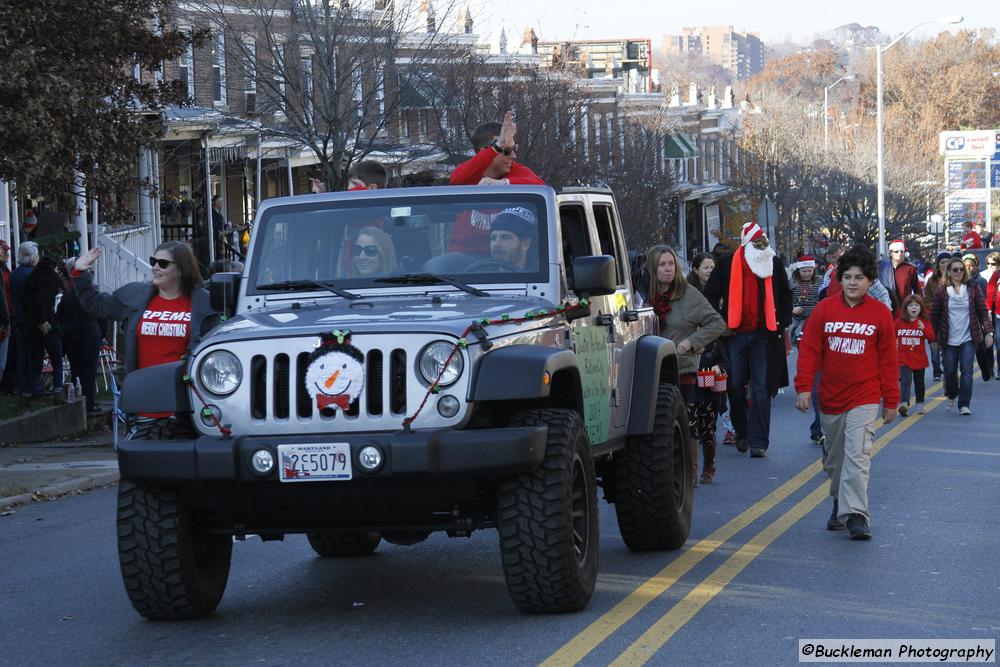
(717, 293)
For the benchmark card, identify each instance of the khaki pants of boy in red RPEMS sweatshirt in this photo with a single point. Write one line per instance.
(847, 457)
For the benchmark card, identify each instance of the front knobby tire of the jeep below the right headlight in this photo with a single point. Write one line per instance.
(548, 520)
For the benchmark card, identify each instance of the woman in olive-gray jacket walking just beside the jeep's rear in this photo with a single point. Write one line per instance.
(686, 317)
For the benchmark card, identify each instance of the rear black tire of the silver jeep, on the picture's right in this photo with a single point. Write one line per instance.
(653, 479)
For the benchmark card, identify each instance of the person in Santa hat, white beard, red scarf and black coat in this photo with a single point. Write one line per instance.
(750, 289)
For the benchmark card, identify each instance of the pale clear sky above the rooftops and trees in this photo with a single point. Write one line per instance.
(776, 20)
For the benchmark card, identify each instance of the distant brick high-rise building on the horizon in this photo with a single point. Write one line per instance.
(741, 53)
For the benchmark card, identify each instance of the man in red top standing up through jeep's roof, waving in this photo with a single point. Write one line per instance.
(495, 163)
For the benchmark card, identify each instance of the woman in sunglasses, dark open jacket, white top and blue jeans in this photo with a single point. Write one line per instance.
(961, 322)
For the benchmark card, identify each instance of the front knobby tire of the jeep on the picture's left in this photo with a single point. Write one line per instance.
(170, 569)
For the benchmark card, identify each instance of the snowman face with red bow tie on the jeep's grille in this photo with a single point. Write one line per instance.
(335, 376)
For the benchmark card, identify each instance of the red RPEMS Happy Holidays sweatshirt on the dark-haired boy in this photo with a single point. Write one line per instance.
(855, 349)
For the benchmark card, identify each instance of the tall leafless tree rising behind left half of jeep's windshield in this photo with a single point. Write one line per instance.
(327, 71)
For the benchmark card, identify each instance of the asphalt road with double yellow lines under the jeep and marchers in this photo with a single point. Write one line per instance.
(759, 572)
